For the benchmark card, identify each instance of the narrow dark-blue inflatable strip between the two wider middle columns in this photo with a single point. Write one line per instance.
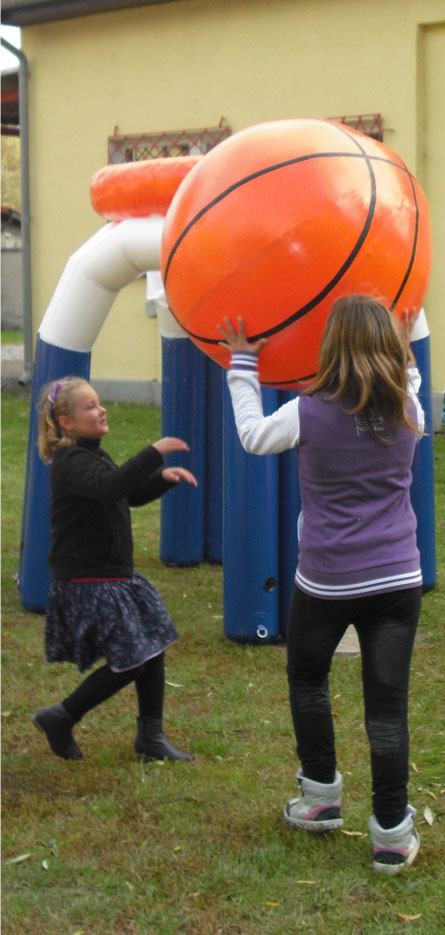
(213, 529)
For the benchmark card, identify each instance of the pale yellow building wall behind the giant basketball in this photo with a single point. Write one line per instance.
(186, 65)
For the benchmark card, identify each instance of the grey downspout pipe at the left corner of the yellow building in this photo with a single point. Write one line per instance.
(25, 212)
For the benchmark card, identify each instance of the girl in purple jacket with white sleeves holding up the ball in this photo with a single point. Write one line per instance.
(355, 429)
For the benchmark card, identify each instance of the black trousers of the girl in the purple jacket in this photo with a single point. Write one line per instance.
(386, 627)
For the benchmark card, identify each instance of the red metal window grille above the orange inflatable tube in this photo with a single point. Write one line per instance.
(137, 146)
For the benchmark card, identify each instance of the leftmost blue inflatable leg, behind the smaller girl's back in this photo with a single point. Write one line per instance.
(51, 363)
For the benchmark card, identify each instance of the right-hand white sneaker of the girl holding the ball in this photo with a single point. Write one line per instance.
(396, 848)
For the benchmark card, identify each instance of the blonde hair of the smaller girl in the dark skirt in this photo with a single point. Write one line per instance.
(57, 399)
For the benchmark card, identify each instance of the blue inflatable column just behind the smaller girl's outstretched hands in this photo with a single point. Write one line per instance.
(183, 416)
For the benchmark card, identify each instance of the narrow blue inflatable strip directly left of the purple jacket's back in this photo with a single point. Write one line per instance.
(289, 511)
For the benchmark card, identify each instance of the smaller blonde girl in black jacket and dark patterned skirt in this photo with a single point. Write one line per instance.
(98, 607)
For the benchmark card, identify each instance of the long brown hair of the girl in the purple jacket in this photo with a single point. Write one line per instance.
(363, 359)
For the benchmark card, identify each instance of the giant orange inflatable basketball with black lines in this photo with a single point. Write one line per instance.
(277, 222)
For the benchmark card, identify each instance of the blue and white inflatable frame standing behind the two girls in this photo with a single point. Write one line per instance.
(259, 555)
